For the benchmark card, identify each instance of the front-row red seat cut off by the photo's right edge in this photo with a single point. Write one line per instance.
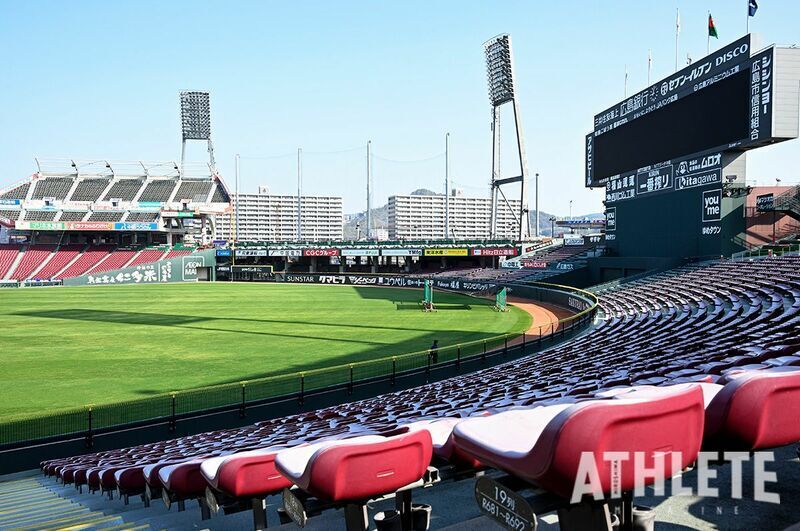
(755, 410)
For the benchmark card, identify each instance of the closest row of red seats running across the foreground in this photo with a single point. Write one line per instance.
(543, 445)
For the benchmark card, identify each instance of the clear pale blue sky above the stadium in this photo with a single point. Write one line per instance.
(101, 79)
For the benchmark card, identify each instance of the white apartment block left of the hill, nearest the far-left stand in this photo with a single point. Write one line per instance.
(265, 217)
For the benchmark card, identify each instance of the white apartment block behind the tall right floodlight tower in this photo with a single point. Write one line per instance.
(421, 217)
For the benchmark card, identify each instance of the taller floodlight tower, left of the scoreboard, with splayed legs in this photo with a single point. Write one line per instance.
(500, 76)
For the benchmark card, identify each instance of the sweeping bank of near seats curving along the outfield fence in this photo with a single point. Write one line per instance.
(698, 323)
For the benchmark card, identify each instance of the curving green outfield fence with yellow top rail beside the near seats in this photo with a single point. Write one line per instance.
(237, 397)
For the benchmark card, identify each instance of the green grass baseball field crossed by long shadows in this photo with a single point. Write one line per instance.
(68, 347)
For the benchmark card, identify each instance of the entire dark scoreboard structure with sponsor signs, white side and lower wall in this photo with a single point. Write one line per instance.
(672, 157)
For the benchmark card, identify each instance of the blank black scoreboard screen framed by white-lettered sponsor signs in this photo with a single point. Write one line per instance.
(721, 102)
